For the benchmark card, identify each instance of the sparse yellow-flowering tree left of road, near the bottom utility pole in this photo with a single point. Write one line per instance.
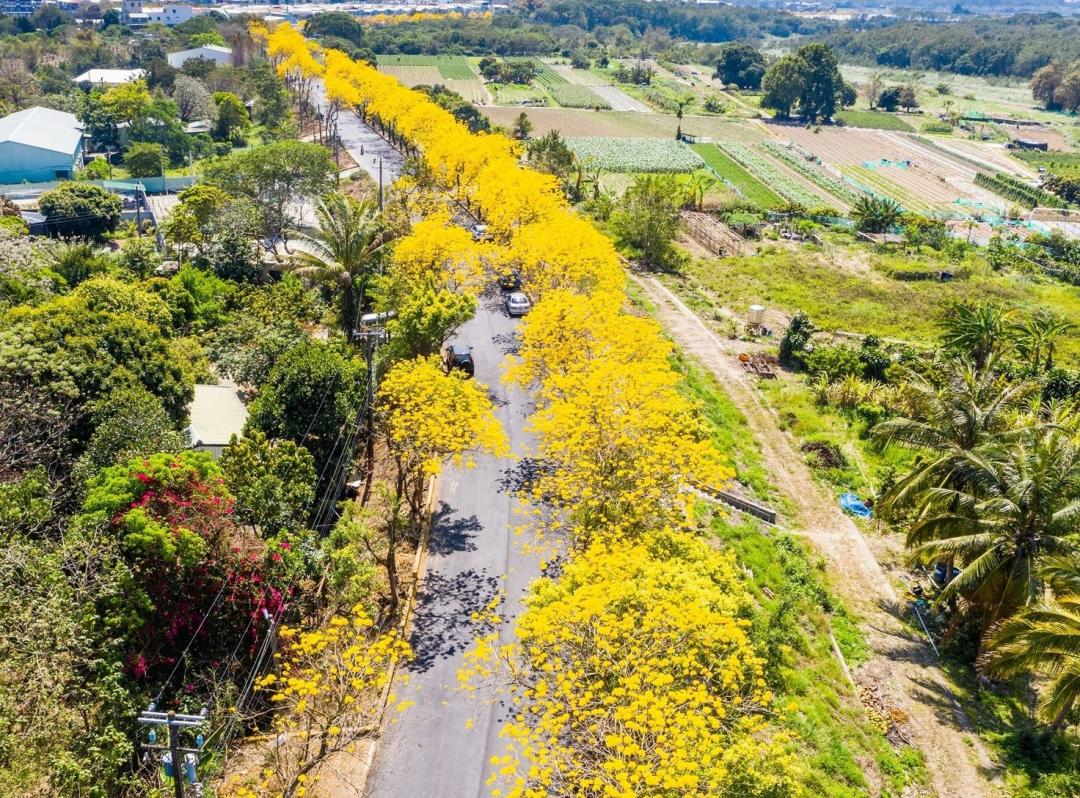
(329, 687)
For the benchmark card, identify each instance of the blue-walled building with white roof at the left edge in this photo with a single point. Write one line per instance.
(39, 144)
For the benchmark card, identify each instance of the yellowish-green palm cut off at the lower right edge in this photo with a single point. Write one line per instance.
(1045, 640)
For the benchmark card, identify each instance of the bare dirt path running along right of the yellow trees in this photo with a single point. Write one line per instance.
(902, 665)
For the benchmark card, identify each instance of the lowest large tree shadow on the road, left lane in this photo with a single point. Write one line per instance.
(443, 626)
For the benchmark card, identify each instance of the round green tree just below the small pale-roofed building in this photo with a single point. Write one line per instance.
(273, 480)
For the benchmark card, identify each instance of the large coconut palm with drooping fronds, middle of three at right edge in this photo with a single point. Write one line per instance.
(1018, 508)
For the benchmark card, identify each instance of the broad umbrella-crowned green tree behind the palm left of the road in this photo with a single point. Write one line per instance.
(276, 178)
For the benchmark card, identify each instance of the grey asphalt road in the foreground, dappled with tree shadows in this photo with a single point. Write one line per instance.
(441, 747)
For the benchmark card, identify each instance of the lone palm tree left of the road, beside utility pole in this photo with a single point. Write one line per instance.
(345, 250)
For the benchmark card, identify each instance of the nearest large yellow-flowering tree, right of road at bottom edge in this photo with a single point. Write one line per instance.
(634, 675)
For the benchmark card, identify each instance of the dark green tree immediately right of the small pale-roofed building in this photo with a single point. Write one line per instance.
(312, 396)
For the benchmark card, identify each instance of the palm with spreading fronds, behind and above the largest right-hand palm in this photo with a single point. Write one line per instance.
(963, 410)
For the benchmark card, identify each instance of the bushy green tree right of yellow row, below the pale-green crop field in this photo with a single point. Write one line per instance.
(647, 219)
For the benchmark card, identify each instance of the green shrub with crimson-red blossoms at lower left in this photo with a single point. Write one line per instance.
(186, 557)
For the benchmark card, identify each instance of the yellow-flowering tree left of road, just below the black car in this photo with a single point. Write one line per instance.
(430, 417)
